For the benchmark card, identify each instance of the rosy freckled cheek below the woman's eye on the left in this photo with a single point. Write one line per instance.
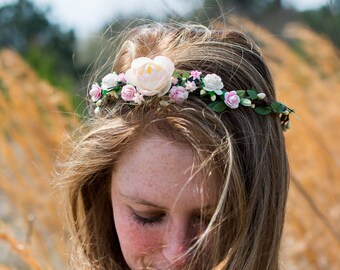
(135, 239)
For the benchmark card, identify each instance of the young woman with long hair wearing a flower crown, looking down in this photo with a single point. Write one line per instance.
(183, 164)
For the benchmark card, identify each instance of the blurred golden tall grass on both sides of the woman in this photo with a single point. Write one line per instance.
(34, 121)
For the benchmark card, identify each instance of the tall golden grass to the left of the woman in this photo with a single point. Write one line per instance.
(34, 120)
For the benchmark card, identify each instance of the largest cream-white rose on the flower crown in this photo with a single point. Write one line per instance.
(151, 76)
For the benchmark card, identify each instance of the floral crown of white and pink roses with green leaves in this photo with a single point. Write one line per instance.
(149, 77)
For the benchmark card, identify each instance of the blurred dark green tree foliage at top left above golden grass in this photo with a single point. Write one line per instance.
(26, 29)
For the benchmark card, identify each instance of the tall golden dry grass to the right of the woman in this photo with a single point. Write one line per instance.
(308, 80)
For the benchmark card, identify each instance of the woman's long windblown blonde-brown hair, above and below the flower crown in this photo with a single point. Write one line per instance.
(244, 149)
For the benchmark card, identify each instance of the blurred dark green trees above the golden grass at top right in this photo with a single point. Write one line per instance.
(273, 15)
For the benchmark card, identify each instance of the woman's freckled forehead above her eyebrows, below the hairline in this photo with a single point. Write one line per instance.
(161, 171)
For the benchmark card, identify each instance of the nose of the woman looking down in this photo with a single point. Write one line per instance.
(176, 243)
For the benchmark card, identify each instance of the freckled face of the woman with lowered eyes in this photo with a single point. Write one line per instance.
(158, 206)
